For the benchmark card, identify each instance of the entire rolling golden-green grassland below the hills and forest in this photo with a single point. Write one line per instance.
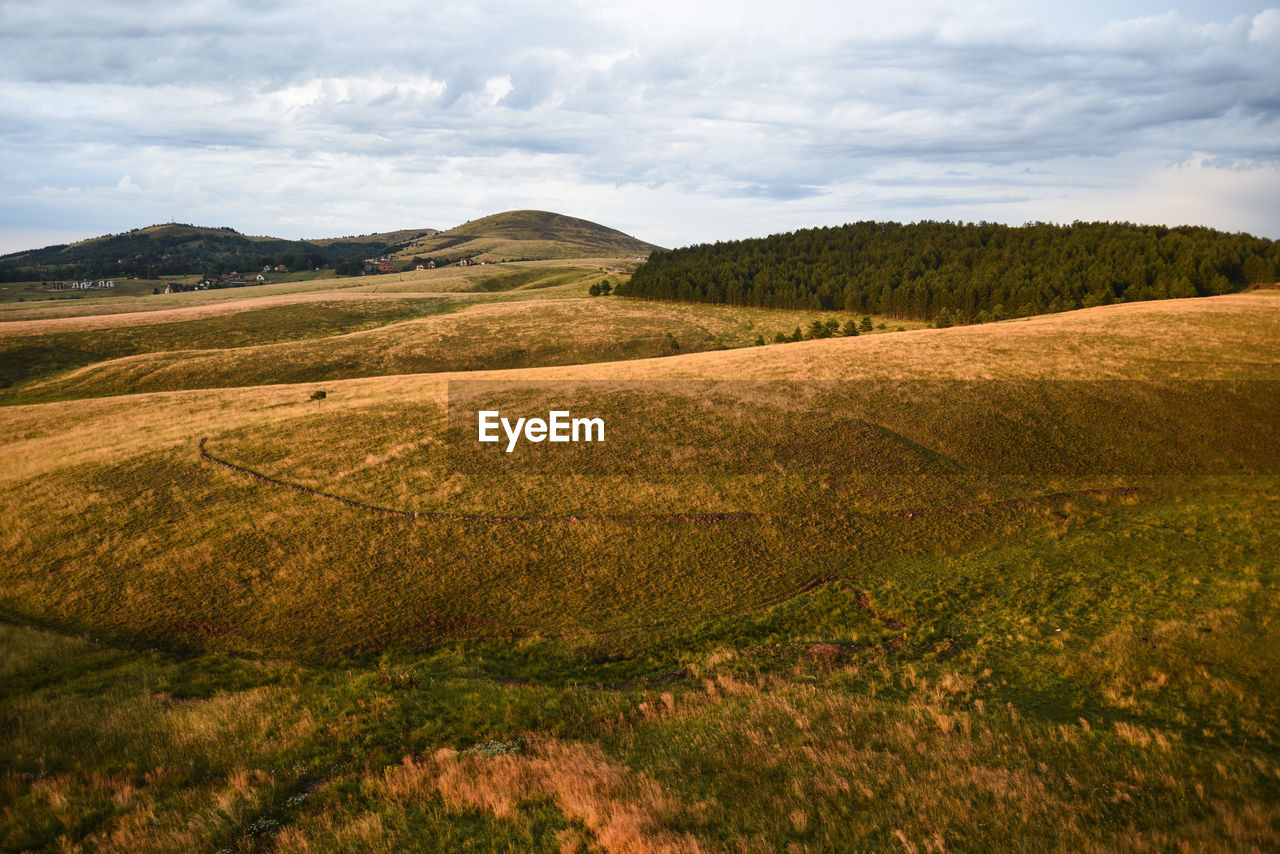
(1003, 587)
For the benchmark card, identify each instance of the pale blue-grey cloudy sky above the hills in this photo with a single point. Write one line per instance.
(675, 121)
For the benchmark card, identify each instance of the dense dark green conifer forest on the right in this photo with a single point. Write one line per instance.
(959, 272)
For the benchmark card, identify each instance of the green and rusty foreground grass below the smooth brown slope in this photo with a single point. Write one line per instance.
(1022, 719)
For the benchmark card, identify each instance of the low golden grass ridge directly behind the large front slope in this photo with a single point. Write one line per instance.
(484, 336)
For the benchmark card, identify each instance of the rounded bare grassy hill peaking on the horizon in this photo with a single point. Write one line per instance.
(527, 235)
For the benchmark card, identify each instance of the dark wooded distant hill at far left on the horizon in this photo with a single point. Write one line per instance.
(176, 248)
